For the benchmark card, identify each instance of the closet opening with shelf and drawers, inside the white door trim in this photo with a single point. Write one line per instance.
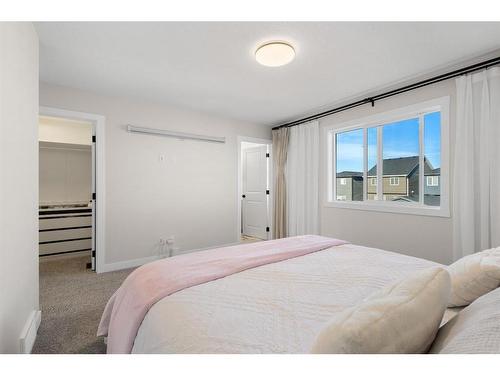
(66, 189)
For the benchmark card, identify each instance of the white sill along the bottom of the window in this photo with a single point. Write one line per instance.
(398, 208)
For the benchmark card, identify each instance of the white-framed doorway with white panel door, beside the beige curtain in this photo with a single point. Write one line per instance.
(254, 198)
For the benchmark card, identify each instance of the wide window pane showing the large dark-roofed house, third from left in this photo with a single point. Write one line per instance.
(401, 161)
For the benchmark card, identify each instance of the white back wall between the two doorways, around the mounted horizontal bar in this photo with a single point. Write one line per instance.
(191, 194)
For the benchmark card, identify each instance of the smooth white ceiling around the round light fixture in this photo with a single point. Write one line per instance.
(211, 67)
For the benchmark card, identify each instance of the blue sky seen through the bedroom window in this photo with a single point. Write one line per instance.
(399, 139)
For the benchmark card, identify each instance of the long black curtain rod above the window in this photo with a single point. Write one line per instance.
(372, 99)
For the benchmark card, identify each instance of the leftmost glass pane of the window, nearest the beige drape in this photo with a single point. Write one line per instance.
(349, 165)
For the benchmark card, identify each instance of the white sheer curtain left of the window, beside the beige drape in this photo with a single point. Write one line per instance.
(302, 175)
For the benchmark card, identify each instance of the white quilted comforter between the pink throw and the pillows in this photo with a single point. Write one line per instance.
(276, 308)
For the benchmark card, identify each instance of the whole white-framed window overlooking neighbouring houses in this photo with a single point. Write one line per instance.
(394, 161)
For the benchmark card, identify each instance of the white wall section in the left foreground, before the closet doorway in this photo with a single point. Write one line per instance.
(18, 181)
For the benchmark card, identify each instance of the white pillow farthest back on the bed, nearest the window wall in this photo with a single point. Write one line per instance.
(474, 275)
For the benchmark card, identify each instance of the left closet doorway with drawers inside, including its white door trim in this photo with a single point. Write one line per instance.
(70, 183)
